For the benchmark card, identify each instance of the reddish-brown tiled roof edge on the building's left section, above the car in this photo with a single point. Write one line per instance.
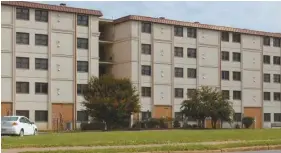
(52, 7)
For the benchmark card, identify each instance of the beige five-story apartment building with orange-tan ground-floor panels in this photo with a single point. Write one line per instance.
(49, 52)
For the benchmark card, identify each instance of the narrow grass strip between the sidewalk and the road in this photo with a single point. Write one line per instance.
(170, 148)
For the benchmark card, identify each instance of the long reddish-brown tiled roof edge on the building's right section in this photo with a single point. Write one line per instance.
(195, 25)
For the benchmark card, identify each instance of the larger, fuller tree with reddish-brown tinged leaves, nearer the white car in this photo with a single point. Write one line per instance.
(111, 100)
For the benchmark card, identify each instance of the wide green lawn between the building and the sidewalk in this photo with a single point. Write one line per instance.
(137, 137)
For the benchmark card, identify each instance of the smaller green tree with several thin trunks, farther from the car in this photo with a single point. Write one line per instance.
(208, 102)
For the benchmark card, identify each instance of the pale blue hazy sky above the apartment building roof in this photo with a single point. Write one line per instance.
(263, 16)
